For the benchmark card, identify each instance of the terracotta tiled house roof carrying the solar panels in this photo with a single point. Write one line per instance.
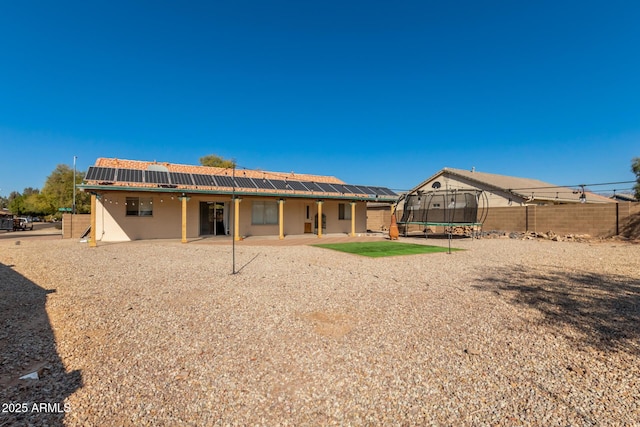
(118, 174)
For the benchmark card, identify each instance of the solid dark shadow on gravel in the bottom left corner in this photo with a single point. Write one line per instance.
(27, 345)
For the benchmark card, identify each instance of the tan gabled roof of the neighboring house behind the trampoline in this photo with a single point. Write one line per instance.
(526, 189)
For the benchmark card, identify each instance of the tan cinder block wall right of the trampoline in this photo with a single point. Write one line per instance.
(597, 220)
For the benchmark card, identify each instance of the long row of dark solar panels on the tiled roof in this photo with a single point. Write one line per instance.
(162, 178)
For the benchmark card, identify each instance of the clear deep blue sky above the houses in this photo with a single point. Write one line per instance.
(373, 92)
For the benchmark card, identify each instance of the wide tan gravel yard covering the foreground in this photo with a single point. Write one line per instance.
(507, 332)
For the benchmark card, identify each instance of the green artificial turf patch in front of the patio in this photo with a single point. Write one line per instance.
(383, 248)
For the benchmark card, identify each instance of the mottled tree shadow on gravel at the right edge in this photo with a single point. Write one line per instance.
(603, 309)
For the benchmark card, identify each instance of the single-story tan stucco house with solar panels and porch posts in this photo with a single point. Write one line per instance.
(134, 200)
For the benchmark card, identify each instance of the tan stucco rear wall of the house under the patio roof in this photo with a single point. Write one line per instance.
(112, 223)
